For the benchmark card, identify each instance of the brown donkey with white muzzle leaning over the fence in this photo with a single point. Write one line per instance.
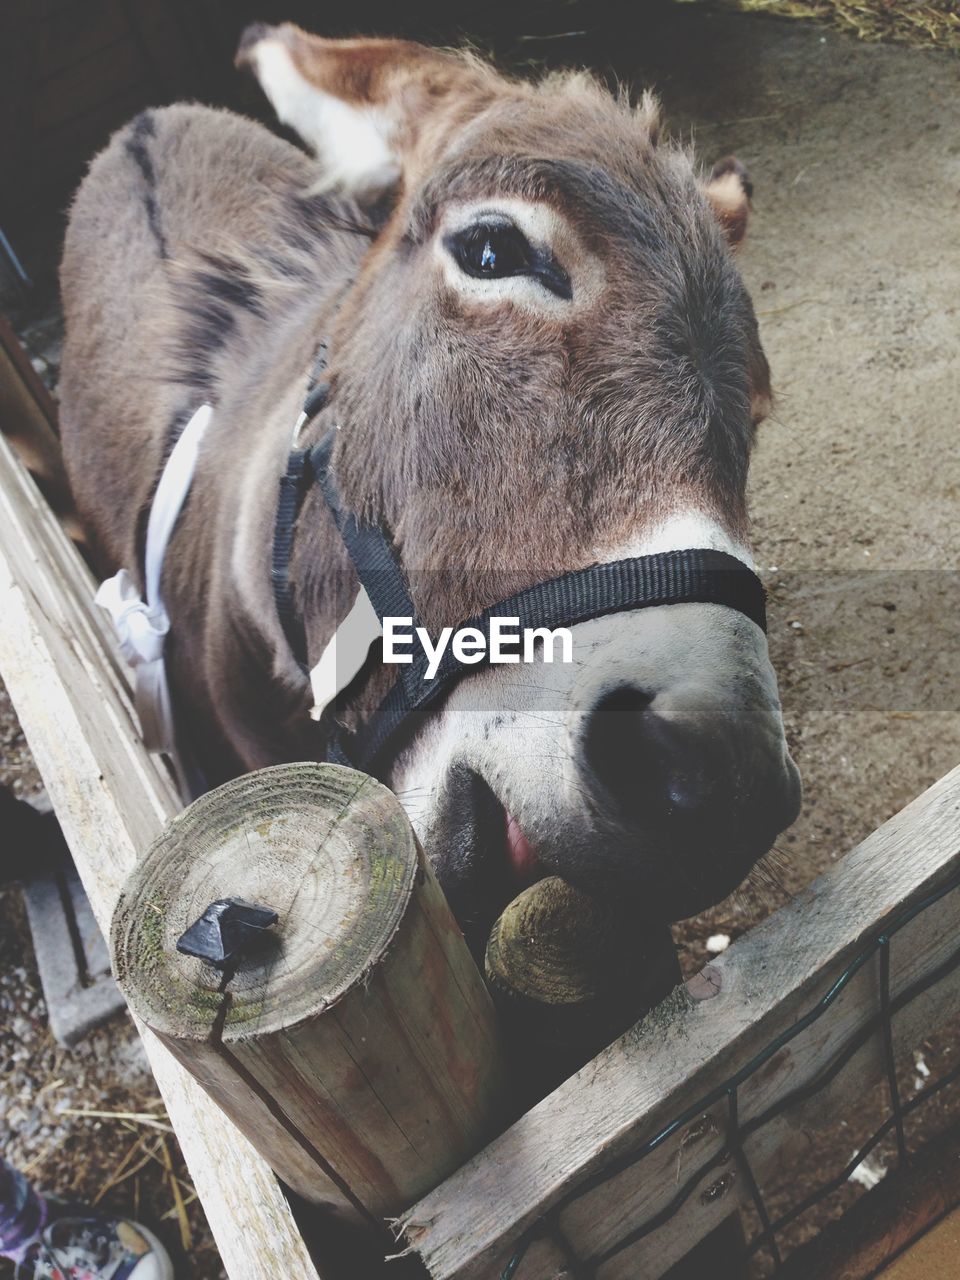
(541, 356)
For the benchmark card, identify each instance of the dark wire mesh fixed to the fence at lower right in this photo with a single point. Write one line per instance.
(738, 1133)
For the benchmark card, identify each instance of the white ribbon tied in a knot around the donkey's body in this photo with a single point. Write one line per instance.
(143, 624)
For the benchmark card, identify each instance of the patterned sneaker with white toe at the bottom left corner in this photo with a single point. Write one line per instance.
(90, 1247)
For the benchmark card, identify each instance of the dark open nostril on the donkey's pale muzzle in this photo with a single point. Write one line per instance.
(644, 766)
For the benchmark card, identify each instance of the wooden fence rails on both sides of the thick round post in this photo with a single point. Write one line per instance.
(578, 1178)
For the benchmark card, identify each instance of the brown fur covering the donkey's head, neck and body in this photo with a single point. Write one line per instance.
(501, 445)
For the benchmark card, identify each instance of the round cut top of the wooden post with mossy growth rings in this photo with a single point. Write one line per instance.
(324, 848)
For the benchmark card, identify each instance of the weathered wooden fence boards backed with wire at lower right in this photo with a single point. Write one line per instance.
(470, 1227)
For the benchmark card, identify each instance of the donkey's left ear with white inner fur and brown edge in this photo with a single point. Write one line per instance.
(359, 104)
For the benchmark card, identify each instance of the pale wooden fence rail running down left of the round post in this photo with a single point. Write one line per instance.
(113, 801)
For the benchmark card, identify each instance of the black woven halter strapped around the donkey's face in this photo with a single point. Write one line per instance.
(639, 583)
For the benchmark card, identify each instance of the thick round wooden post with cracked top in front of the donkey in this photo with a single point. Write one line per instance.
(356, 1046)
